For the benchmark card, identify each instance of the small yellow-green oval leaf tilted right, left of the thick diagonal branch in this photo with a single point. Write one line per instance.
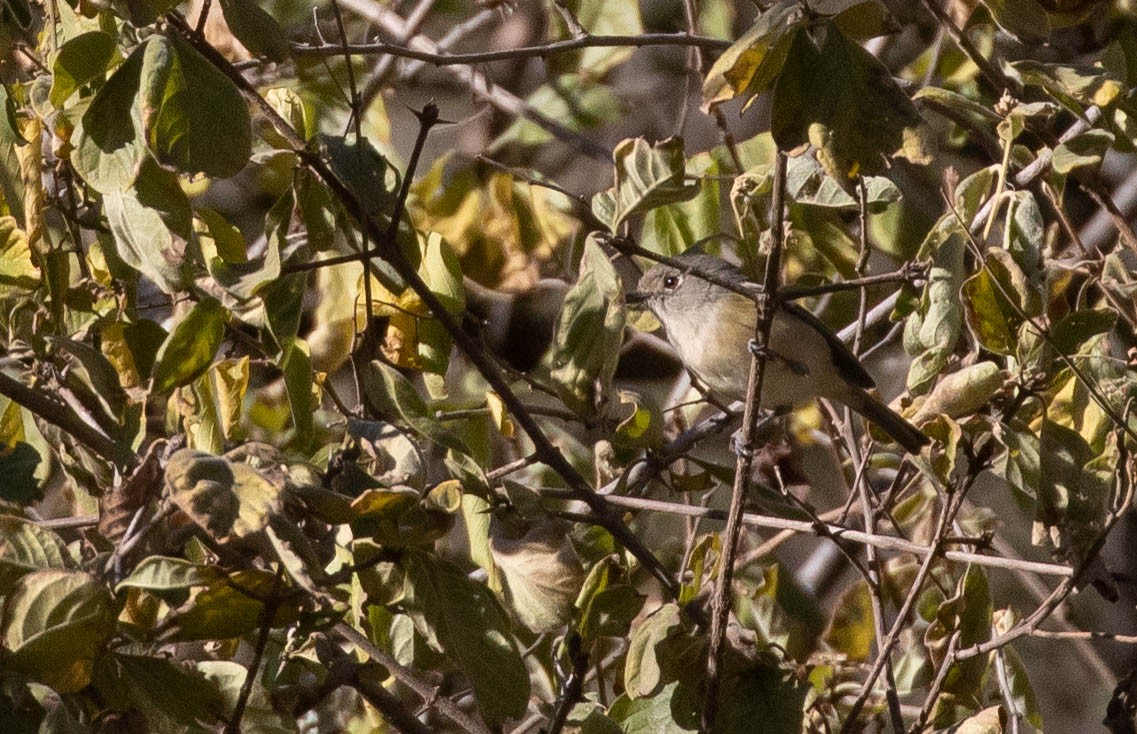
(190, 349)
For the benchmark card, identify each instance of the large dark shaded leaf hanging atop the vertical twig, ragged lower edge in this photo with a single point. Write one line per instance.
(842, 97)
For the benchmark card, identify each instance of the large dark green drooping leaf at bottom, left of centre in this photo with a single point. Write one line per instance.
(464, 620)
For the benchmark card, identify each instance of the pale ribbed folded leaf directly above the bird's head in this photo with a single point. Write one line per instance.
(646, 177)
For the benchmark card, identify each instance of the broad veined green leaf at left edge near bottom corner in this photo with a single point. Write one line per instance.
(55, 624)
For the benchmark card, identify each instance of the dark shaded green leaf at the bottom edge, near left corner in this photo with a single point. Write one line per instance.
(170, 694)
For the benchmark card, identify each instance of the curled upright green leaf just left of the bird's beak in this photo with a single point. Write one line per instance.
(590, 335)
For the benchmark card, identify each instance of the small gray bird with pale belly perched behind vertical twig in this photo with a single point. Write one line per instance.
(712, 329)
